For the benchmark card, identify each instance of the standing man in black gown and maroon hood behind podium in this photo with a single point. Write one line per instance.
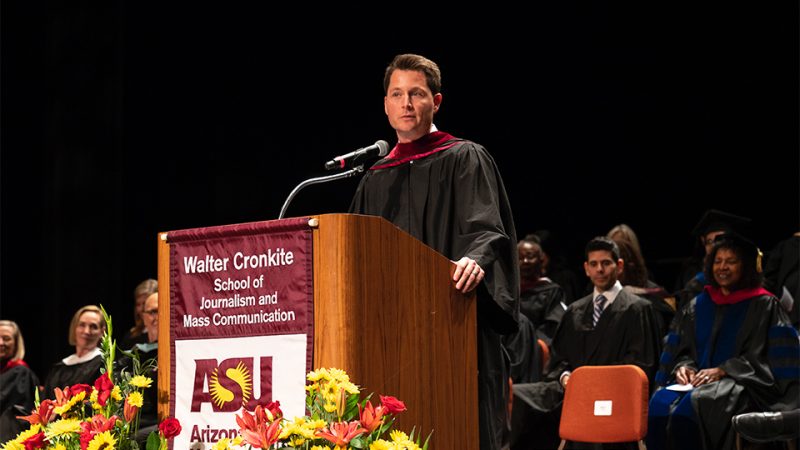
(447, 192)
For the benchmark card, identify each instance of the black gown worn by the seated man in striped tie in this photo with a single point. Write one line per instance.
(625, 334)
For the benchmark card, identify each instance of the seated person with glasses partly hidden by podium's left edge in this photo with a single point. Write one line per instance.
(148, 357)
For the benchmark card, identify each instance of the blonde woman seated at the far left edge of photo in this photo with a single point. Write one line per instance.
(18, 383)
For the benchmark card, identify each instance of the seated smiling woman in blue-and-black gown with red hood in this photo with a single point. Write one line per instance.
(730, 350)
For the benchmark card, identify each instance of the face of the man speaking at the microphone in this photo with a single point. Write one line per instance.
(410, 104)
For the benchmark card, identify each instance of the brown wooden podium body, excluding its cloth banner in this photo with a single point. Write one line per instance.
(386, 312)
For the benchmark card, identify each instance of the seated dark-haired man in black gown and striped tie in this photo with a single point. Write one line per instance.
(608, 327)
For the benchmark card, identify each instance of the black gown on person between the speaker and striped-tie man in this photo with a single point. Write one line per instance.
(544, 305)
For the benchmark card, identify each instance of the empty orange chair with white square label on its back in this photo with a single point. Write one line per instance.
(605, 404)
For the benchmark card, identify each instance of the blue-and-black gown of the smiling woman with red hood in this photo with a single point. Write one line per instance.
(753, 342)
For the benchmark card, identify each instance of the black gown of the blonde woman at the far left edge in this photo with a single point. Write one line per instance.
(17, 390)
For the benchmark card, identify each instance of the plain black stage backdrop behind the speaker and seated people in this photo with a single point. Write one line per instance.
(122, 119)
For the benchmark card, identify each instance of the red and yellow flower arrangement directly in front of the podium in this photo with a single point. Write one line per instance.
(338, 419)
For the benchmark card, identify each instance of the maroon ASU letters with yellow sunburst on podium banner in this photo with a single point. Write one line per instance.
(230, 384)
